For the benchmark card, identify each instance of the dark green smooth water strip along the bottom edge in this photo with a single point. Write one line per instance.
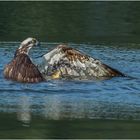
(42, 128)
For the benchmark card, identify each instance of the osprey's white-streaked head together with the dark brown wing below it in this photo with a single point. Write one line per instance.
(21, 68)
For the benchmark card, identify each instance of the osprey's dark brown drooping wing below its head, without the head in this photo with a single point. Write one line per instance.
(22, 69)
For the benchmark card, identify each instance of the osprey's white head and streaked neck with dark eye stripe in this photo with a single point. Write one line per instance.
(26, 45)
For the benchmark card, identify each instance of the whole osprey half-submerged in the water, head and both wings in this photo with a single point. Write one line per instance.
(61, 62)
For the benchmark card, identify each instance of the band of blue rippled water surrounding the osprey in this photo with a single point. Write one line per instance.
(117, 98)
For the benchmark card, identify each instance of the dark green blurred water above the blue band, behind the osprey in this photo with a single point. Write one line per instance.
(70, 21)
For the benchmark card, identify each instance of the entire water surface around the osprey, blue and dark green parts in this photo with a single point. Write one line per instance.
(108, 31)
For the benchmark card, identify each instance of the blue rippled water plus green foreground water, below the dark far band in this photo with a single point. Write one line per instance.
(46, 107)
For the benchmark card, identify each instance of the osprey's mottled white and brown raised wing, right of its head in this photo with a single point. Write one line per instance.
(66, 62)
